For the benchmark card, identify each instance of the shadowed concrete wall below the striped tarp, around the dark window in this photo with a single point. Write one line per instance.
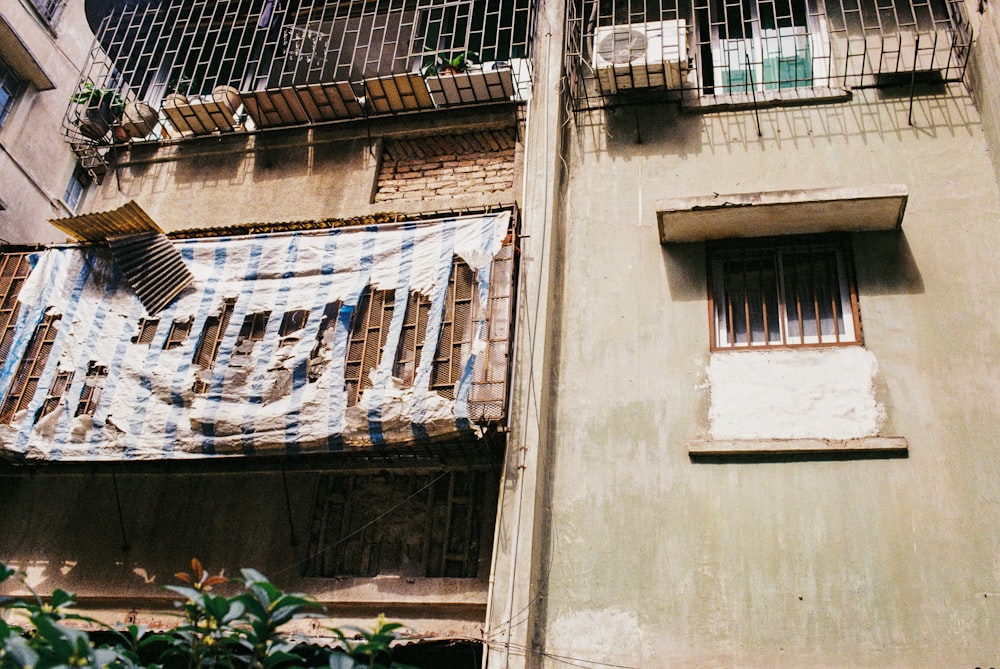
(64, 530)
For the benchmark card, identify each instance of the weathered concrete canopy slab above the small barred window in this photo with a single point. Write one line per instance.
(788, 212)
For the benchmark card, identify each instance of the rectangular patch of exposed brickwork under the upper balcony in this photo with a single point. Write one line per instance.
(426, 167)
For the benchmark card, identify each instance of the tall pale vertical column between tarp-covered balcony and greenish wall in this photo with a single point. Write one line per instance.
(514, 614)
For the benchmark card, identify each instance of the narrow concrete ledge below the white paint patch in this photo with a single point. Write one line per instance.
(715, 447)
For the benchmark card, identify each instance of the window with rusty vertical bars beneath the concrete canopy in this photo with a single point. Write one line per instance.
(789, 291)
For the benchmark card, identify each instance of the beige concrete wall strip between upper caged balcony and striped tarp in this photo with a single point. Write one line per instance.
(285, 175)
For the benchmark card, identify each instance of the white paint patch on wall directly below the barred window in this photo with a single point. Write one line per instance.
(794, 394)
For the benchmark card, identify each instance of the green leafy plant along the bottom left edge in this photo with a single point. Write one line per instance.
(242, 631)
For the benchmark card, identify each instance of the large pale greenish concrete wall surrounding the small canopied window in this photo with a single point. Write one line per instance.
(657, 560)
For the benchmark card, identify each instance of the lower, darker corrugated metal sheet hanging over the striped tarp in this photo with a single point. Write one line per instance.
(153, 267)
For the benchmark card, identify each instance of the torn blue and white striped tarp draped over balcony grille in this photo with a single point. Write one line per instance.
(268, 400)
